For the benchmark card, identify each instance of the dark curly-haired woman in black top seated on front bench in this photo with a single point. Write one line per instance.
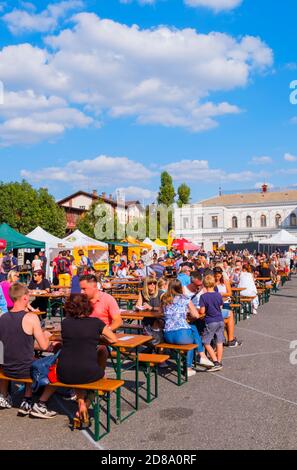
(78, 362)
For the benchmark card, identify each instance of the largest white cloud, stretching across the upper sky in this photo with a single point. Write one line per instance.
(158, 76)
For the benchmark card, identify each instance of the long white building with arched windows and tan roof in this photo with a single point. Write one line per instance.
(237, 218)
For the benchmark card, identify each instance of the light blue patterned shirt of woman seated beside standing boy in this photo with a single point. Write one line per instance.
(175, 314)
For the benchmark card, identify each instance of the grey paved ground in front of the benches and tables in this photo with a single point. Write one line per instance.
(250, 404)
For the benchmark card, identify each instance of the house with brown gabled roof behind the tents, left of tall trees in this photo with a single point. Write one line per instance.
(79, 203)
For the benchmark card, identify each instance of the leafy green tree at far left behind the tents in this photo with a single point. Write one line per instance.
(24, 208)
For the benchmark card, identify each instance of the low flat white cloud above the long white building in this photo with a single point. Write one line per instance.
(199, 170)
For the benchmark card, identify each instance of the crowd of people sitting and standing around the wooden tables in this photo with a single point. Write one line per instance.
(193, 291)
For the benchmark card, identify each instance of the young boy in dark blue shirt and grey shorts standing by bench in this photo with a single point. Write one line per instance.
(211, 304)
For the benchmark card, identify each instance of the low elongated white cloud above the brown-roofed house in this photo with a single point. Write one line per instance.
(100, 171)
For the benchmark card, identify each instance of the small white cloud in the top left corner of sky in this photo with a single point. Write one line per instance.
(21, 21)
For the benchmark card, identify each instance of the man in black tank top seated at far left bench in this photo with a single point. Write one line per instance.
(18, 332)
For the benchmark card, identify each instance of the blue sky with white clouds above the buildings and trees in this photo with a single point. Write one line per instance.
(106, 94)
